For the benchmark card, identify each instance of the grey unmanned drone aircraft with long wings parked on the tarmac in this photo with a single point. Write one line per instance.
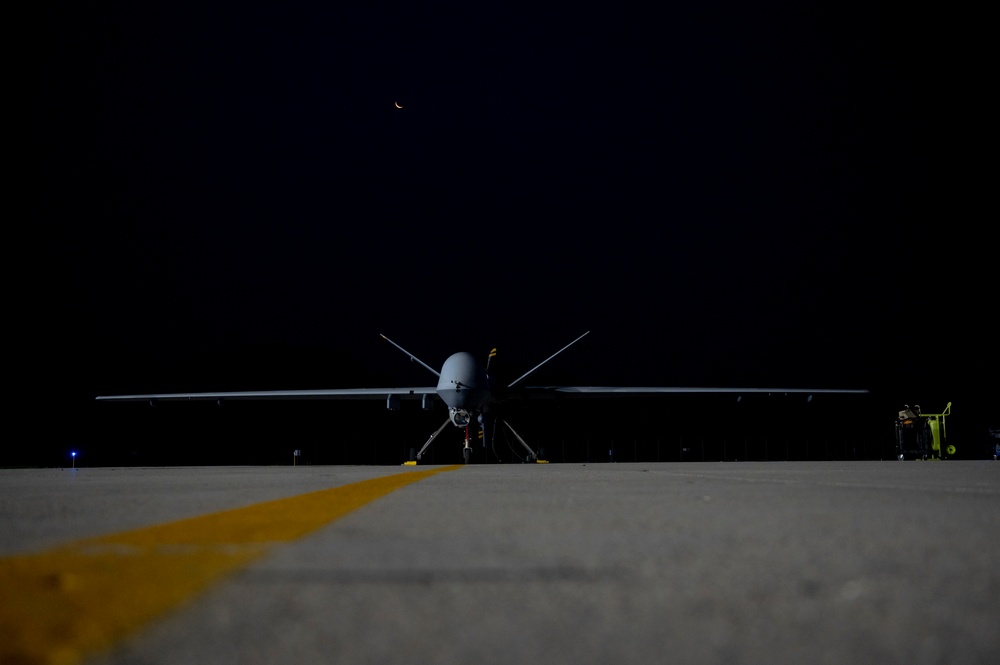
(469, 390)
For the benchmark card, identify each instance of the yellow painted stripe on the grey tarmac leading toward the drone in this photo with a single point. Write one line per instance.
(57, 606)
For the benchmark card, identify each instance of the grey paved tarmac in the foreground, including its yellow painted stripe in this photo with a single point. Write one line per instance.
(769, 562)
